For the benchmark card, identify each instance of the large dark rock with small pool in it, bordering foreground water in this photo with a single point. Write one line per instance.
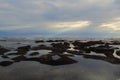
(54, 60)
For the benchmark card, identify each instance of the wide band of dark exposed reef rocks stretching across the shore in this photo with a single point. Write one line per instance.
(61, 52)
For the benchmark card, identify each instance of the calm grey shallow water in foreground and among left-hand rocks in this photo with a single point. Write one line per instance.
(84, 69)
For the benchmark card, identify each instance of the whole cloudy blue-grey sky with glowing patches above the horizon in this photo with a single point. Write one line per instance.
(60, 18)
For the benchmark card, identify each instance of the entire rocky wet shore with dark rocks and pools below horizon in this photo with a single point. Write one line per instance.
(80, 57)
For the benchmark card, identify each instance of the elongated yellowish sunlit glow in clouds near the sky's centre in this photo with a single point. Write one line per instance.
(63, 27)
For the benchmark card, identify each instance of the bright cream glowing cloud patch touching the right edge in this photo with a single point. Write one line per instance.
(111, 25)
